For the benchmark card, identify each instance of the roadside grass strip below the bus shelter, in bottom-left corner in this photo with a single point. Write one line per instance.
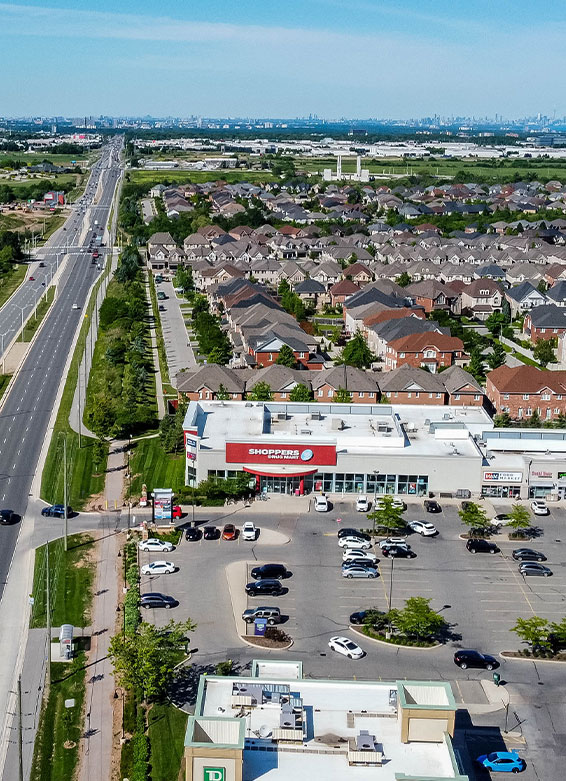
(59, 725)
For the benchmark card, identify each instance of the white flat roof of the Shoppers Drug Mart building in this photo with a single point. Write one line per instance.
(353, 428)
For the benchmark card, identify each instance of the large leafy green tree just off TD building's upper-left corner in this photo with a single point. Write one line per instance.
(146, 661)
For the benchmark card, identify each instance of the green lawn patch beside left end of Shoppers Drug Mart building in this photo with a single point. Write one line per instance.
(151, 465)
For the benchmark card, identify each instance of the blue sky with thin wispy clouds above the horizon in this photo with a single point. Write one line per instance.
(283, 58)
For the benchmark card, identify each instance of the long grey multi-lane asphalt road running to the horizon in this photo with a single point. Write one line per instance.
(27, 408)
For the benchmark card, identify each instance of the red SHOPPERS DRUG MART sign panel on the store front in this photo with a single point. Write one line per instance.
(280, 453)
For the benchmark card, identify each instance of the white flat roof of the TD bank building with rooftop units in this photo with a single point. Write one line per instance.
(335, 713)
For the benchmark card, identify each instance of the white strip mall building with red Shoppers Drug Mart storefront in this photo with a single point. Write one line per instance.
(404, 450)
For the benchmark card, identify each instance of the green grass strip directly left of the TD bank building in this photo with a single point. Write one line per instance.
(166, 731)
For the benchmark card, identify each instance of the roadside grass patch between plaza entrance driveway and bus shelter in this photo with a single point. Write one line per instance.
(71, 580)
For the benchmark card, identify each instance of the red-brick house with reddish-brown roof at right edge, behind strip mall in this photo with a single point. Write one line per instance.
(521, 390)
